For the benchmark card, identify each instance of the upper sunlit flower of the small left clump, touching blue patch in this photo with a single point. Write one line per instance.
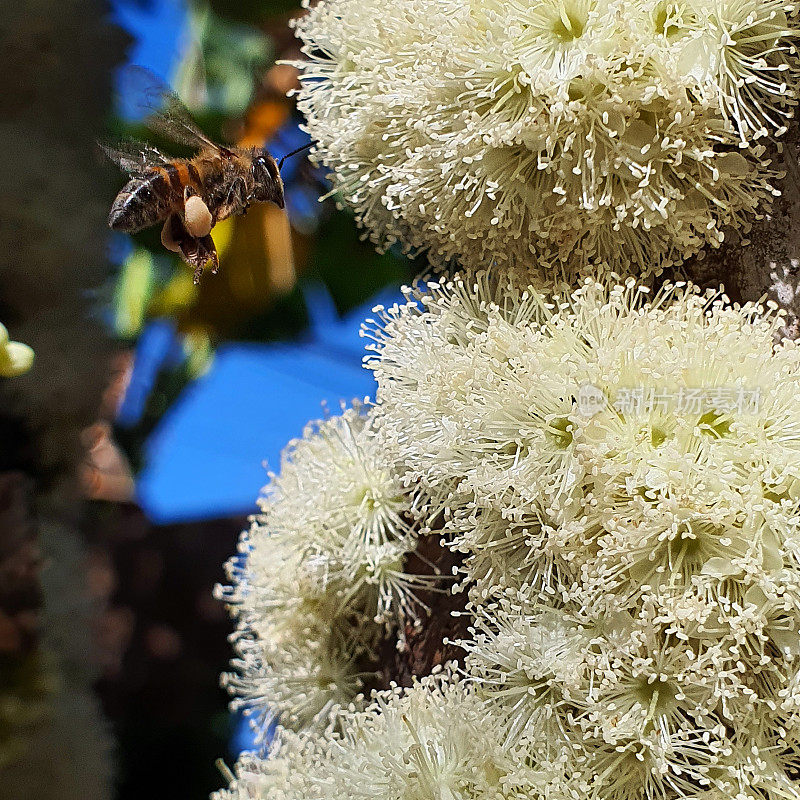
(344, 513)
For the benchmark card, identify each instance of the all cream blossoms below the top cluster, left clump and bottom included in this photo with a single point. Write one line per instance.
(633, 575)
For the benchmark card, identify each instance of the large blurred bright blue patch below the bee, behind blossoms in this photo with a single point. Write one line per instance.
(207, 456)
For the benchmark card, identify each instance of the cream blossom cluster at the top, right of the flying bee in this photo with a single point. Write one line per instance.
(625, 132)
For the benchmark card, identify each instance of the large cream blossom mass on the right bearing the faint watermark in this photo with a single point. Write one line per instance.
(623, 473)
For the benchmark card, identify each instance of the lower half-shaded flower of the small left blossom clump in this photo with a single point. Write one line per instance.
(300, 658)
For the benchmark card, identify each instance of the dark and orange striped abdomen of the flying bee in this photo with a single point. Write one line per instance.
(150, 198)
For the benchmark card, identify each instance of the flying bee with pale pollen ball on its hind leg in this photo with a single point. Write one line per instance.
(188, 195)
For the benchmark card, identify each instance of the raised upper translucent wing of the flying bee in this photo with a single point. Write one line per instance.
(164, 112)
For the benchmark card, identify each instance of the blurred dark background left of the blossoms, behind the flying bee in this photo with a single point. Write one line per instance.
(111, 643)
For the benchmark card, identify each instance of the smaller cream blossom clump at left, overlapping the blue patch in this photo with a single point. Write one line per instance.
(322, 575)
